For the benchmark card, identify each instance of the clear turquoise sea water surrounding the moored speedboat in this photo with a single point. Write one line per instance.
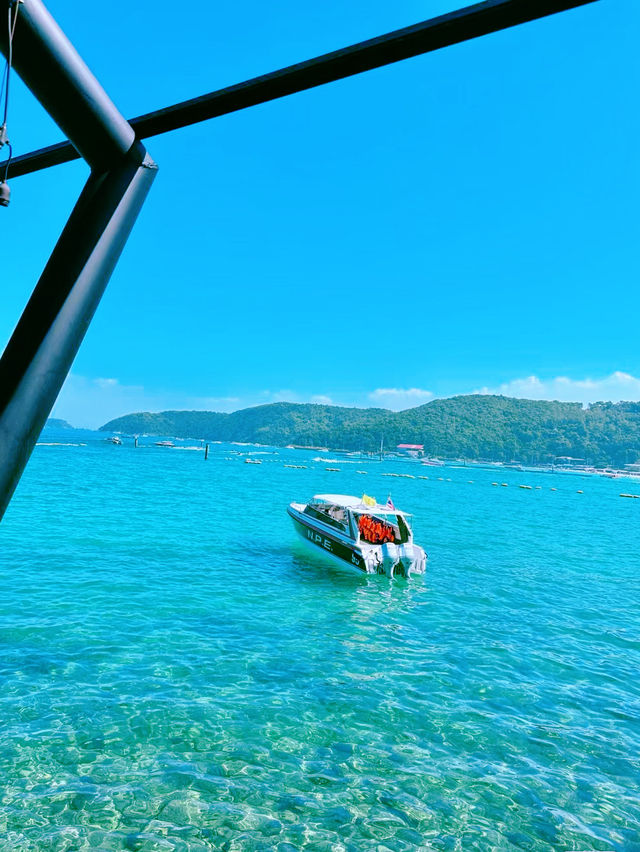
(176, 674)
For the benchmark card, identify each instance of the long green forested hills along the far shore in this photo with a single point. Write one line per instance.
(495, 428)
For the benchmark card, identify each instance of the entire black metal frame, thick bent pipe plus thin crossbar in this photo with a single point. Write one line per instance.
(46, 340)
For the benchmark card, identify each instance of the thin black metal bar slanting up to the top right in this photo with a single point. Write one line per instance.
(443, 31)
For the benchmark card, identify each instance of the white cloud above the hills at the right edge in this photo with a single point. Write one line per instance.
(614, 388)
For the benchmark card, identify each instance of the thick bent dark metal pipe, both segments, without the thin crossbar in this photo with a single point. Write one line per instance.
(41, 350)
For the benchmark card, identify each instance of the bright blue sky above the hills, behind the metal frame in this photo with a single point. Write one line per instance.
(463, 221)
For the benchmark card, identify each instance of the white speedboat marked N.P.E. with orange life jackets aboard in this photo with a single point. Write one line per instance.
(360, 533)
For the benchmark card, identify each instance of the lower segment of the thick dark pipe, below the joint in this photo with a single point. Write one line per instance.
(42, 348)
